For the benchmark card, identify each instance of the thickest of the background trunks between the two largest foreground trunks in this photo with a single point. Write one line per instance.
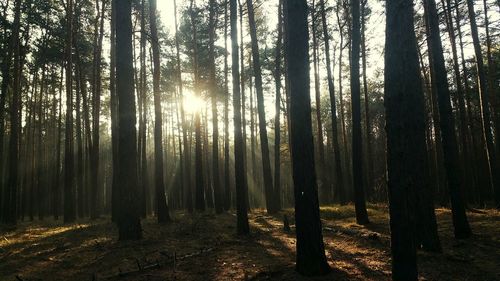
(357, 154)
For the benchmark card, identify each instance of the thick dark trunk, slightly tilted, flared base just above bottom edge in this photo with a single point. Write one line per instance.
(311, 259)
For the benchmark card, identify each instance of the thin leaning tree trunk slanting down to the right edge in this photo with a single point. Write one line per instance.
(487, 132)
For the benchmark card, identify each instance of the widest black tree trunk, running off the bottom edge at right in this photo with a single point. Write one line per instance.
(405, 124)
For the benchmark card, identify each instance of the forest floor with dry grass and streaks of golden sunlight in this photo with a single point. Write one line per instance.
(206, 248)
